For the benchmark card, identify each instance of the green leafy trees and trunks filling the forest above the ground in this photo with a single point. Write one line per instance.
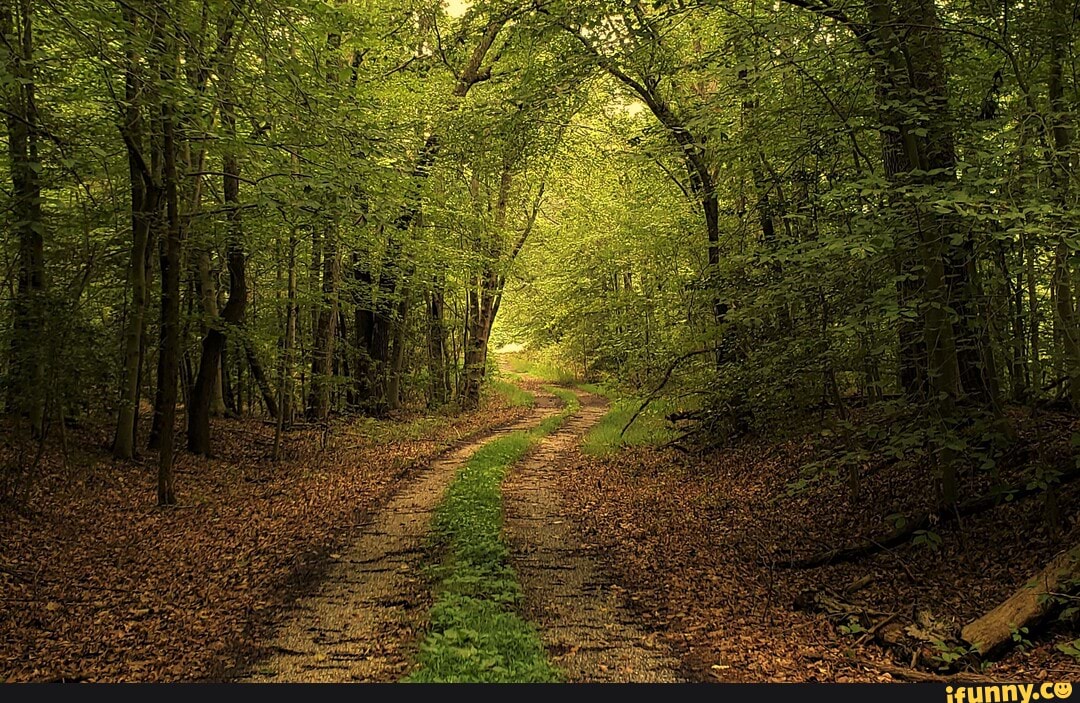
(769, 211)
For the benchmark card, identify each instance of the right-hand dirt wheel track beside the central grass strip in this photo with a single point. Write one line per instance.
(589, 632)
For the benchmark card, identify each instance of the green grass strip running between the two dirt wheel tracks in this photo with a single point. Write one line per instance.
(477, 634)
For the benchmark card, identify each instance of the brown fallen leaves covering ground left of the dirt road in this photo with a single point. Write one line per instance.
(98, 584)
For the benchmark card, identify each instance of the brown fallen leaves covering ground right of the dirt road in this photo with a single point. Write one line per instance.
(698, 545)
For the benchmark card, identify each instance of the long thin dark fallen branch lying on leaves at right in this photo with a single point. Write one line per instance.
(911, 526)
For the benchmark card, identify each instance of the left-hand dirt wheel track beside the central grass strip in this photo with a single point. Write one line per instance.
(363, 621)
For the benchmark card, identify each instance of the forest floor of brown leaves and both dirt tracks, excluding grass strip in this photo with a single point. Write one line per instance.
(647, 565)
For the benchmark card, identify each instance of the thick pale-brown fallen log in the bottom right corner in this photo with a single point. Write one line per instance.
(1025, 607)
